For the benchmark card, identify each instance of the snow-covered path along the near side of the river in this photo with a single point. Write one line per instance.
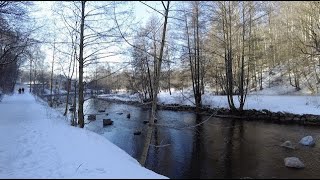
(36, 142)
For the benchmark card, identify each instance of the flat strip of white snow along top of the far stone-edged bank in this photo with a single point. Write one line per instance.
(307, 104)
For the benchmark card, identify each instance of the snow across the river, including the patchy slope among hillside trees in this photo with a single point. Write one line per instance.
(277, 95)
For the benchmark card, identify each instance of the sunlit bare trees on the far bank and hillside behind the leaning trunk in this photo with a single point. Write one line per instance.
(232, 46)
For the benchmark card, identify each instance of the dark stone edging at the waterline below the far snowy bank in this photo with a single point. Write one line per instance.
(250, 115)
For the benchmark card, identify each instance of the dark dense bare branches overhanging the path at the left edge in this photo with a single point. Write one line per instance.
(16, 42)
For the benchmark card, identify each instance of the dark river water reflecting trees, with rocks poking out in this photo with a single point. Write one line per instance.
(218, 148)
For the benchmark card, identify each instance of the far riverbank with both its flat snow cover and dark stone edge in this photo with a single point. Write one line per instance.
(294, 107)
